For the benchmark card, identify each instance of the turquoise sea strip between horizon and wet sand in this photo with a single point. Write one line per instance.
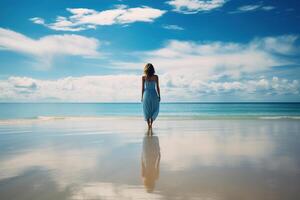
(198, 110)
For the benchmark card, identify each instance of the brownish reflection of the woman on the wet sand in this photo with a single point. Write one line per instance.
(150, 161)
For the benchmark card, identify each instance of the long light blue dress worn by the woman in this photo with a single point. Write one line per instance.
(150, 100)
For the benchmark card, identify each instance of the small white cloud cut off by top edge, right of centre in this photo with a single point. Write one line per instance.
(195, 6)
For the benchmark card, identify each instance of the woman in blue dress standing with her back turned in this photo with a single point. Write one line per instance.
(150, 96)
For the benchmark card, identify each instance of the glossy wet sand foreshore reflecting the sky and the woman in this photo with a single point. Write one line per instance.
(113, 158)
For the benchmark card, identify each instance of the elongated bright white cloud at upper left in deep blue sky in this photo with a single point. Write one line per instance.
(82, 18)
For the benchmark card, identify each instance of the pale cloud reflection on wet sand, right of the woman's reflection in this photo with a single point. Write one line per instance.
(183, 151)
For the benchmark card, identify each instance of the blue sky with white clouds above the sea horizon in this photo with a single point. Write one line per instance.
(202, 50)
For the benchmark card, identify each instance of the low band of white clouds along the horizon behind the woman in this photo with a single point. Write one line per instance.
(123, 88)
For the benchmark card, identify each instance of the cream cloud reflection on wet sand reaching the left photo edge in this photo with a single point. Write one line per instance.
(66, 166)
